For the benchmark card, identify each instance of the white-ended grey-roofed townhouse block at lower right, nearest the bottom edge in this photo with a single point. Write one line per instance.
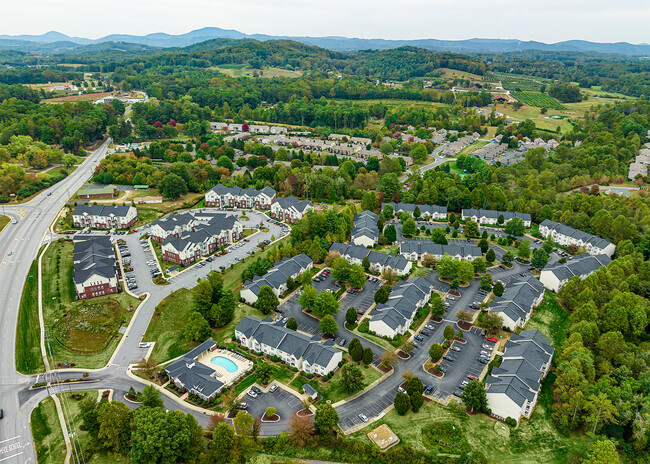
(512, 389)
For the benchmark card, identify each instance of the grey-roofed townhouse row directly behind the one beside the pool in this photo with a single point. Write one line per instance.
(276, 278)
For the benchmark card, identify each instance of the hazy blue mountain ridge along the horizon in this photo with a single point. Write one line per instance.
(64, 44)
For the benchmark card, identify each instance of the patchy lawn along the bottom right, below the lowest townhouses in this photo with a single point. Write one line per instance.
(535, 440)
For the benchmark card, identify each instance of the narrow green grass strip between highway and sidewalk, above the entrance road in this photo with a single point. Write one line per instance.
(29, 359)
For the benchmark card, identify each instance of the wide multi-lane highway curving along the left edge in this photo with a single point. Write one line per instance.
(19, 244)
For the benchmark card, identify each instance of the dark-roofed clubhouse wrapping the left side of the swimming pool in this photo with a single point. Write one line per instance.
(196, 377)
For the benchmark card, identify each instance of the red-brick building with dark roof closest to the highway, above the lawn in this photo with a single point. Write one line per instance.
(94, 270)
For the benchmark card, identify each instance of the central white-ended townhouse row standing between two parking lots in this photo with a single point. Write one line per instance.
(396, 315)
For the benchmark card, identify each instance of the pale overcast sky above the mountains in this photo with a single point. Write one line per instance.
(546, 20)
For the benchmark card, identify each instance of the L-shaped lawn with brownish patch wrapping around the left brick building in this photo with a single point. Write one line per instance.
(82, 332)
